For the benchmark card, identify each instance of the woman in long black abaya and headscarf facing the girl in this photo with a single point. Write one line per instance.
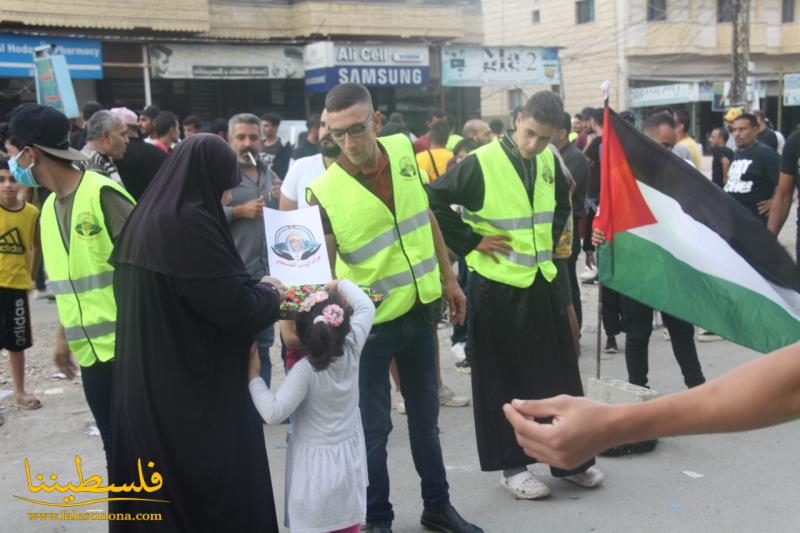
(186, 315)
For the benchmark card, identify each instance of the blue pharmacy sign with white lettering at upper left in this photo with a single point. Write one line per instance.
(84, 57)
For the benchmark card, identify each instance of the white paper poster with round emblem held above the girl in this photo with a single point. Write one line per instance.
(296, 246)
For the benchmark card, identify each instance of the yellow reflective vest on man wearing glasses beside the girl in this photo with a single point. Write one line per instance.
(391, 253)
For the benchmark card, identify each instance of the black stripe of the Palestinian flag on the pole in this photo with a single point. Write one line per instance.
(699, 198)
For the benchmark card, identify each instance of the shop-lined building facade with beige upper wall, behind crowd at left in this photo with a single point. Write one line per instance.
(215, 58)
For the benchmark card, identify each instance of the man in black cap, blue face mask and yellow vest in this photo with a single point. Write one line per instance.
(79, 222)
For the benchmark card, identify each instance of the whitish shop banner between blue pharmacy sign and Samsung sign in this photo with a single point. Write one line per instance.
(225, 62)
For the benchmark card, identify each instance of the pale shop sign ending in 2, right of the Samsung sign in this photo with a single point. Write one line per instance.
(478, 66)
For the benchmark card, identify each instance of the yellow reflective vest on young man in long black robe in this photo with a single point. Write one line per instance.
(507, 210)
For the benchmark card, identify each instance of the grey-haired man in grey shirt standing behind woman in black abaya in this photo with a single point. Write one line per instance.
(245, 213)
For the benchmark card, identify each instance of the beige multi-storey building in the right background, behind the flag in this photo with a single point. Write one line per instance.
(653, 52)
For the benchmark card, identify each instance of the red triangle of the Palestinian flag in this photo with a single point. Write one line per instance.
(622, 206)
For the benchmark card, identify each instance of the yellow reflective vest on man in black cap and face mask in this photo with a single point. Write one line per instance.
(82, 278)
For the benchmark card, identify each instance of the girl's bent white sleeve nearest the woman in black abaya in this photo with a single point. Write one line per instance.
(275, 408)
